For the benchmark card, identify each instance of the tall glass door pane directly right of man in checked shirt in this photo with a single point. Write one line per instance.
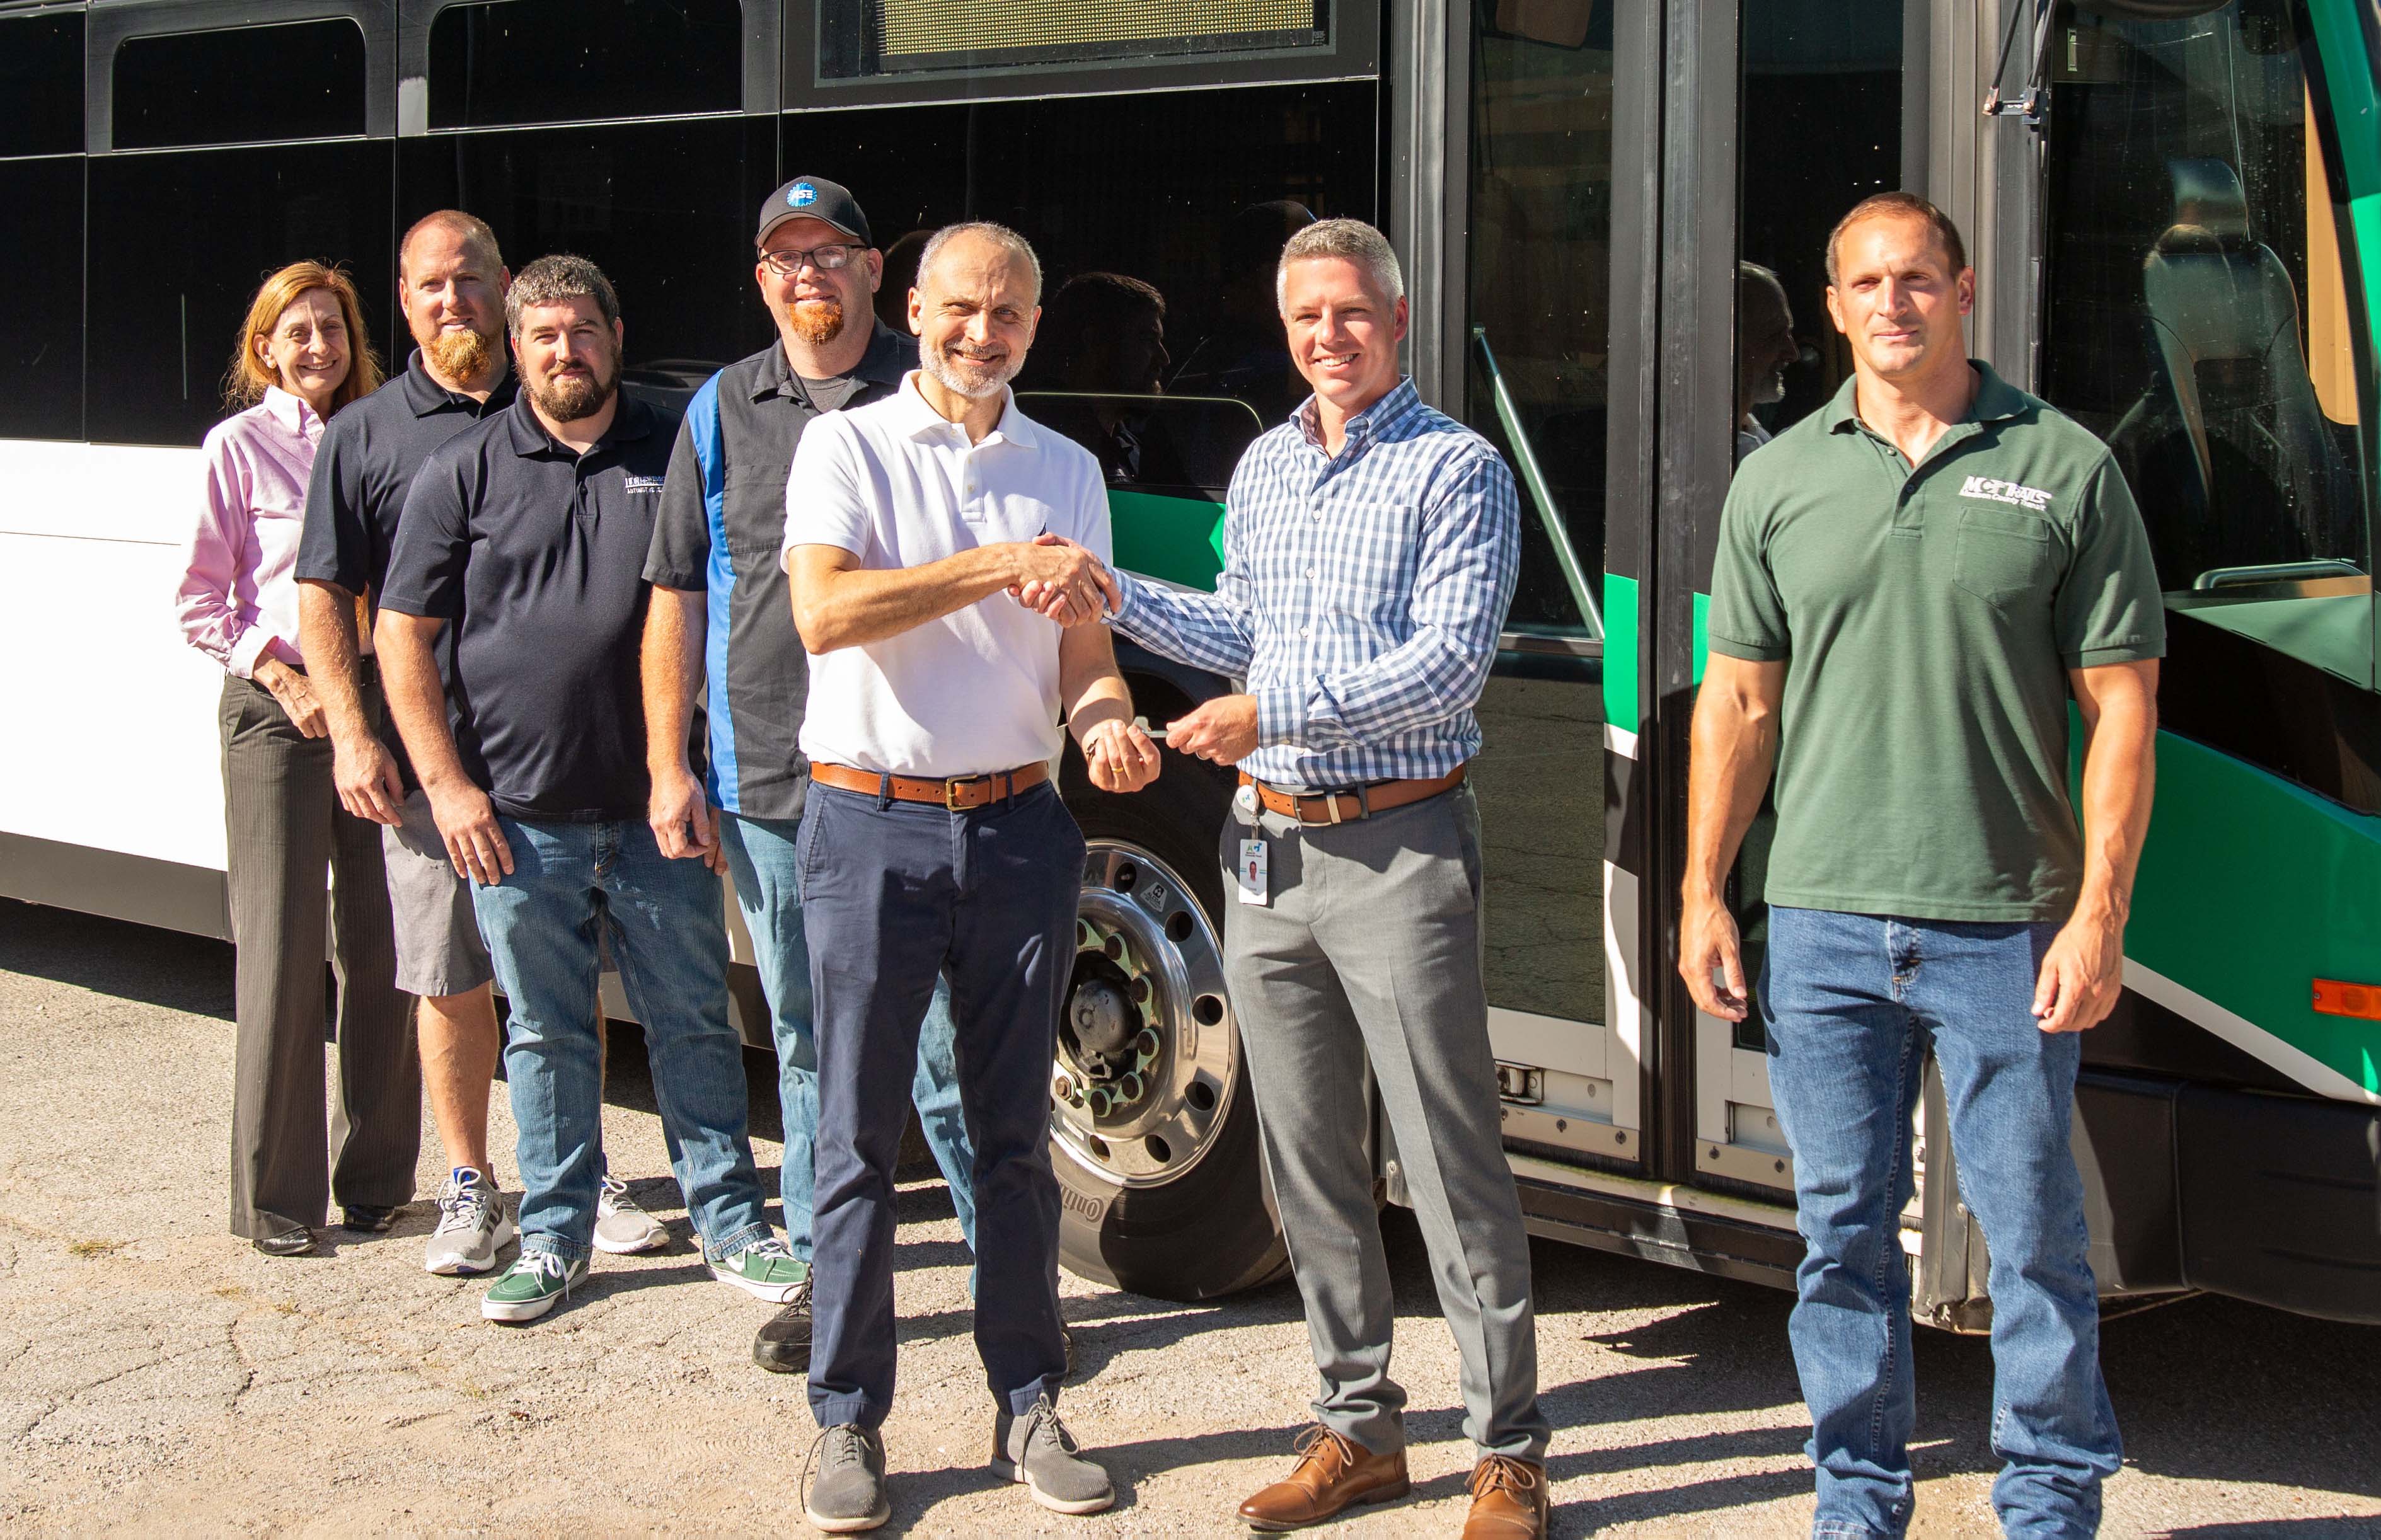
(1539, 332)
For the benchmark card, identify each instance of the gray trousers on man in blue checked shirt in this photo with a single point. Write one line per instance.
(1370, 951)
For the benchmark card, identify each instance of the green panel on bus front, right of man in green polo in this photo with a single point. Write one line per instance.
(2251, 889)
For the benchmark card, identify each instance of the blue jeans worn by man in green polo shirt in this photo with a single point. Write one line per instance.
(1854, 1003)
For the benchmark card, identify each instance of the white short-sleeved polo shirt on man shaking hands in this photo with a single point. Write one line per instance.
(901, 487)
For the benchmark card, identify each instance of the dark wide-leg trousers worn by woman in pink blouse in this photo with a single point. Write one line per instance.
(285, 827)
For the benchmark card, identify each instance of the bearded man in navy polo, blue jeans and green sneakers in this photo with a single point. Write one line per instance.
(527, 537)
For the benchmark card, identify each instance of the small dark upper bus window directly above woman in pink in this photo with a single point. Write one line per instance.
(304, 80)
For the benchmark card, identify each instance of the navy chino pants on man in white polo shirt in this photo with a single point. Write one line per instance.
(892, 896)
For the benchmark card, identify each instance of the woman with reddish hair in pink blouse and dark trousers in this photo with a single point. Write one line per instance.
(304, 356)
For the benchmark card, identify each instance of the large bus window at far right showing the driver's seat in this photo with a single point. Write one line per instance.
(2196, 318)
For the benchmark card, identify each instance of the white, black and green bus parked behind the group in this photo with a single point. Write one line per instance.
(2175, 211)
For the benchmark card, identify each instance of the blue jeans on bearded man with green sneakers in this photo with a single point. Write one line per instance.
(573, 882)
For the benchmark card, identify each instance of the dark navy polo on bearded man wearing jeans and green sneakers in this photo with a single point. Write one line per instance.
(535, 558)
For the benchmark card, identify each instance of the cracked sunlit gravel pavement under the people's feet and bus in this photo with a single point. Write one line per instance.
(158, 1375)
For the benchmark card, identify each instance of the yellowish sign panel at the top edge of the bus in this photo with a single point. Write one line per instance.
(863, 39)
